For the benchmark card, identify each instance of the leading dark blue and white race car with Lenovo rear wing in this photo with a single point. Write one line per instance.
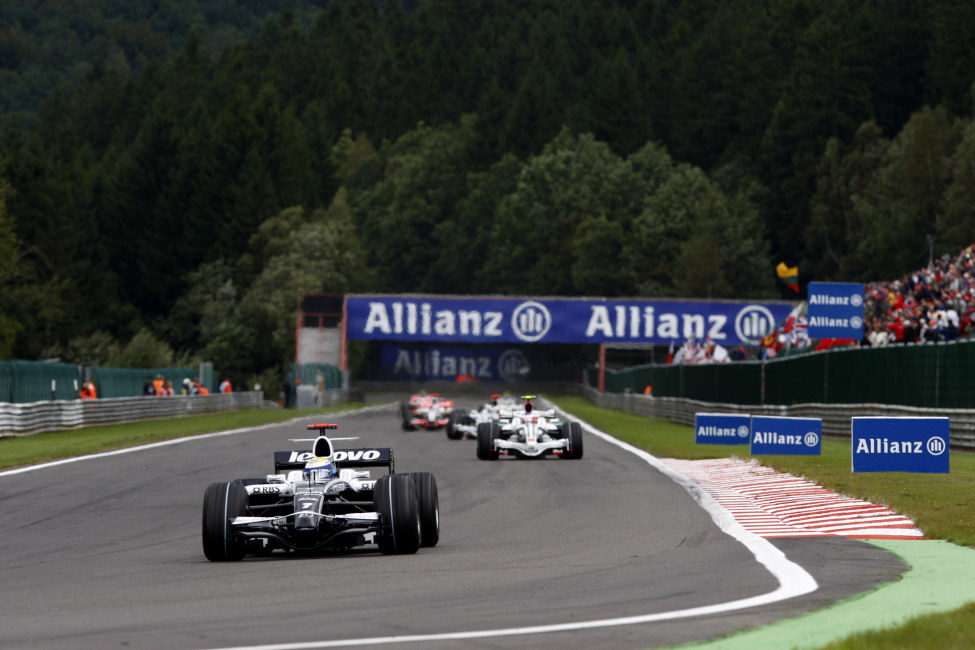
(317, 500)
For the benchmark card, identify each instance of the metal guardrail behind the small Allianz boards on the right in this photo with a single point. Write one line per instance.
(836, 417)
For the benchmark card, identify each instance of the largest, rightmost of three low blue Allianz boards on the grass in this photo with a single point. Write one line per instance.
(900, 445)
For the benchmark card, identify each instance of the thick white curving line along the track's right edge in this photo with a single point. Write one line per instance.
(793, 580)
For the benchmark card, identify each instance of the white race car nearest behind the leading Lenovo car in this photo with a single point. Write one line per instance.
(528, 433)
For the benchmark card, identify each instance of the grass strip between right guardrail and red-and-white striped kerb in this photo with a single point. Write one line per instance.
(942, 505)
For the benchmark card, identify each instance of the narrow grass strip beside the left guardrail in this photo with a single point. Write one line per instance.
(40, 447)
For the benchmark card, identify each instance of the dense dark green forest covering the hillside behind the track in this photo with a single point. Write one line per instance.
(176, 207)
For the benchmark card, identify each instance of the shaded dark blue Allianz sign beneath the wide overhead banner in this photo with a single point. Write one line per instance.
(484, 364)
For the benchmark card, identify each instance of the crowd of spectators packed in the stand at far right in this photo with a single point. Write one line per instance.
(936, 303)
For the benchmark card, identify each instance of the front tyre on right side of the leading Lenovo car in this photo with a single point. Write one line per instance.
(398, 507)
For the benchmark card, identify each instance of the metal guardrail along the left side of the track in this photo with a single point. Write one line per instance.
(18, 419)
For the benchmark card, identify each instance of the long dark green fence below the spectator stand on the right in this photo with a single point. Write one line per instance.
(932, 375)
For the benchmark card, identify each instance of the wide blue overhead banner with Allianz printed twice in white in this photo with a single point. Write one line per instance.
(557, 320)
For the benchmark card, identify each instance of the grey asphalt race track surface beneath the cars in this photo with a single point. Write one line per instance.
(106, 553)
